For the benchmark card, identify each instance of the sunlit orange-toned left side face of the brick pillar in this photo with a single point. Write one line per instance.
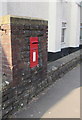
(6, 52)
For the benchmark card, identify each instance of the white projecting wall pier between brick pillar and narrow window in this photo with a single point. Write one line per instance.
(54, 26)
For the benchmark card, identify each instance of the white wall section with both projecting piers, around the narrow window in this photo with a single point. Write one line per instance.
(58, 13)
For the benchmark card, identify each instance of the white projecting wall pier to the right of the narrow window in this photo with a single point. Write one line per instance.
(74, 25)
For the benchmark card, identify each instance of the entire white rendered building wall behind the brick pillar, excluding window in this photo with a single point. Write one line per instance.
(55, 12)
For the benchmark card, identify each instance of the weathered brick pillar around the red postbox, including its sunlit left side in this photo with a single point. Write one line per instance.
(24, 82)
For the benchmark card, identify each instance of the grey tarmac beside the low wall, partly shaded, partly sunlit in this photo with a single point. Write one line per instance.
(60, 100)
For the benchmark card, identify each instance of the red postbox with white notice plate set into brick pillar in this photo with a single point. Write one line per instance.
(33, 51)
